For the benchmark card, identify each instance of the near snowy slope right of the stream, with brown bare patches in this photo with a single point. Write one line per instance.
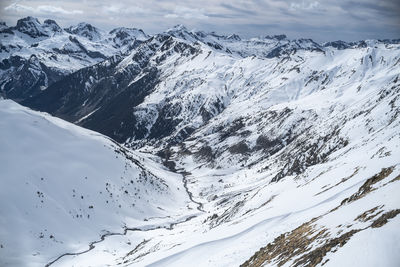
(339, 209)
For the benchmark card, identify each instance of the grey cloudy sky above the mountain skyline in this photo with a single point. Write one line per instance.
(321, 20)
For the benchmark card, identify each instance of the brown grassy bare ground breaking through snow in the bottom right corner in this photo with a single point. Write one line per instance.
(308, 244)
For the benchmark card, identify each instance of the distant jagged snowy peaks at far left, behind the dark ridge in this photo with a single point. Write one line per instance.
(34, 55)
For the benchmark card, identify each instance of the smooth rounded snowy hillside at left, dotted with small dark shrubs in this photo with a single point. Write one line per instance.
(63, 187)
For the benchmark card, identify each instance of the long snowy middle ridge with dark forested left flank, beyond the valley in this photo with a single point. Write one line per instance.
(175, 86)
